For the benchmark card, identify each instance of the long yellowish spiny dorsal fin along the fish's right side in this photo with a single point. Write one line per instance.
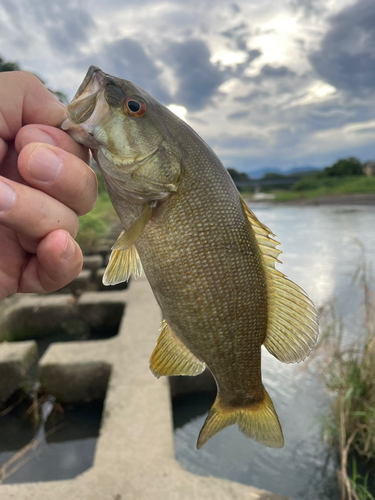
(292, 327)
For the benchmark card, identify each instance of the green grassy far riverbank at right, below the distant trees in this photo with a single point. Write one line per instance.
(331, 186)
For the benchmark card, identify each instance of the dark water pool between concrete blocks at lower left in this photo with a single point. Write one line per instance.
(60, 447)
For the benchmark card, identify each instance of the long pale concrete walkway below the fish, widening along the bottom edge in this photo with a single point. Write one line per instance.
(134, 457)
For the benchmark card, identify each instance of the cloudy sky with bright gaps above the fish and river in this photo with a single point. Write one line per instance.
(266, 83)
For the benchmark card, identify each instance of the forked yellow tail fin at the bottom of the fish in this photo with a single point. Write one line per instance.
(258, 422)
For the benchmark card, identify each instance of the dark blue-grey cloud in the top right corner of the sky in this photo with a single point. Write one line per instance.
(346, 58)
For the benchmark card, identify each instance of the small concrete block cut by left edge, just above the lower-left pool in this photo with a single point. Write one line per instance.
(15, 360)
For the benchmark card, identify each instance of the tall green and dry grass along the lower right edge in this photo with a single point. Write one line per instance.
(348, 372)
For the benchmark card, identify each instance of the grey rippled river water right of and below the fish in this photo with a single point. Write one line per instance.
(320, 253)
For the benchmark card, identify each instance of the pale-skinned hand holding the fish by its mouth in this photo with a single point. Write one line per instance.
(45, 184)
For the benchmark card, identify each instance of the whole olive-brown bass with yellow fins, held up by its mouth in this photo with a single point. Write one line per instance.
(209, 260)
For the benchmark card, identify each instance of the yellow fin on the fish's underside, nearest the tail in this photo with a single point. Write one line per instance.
(172, 357)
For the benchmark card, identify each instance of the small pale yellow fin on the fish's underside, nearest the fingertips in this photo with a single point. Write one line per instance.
(122, 263)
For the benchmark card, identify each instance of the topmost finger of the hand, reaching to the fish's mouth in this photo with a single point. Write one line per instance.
(25, 100)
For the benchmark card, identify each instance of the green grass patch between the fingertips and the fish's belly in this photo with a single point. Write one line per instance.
(94, 226)
